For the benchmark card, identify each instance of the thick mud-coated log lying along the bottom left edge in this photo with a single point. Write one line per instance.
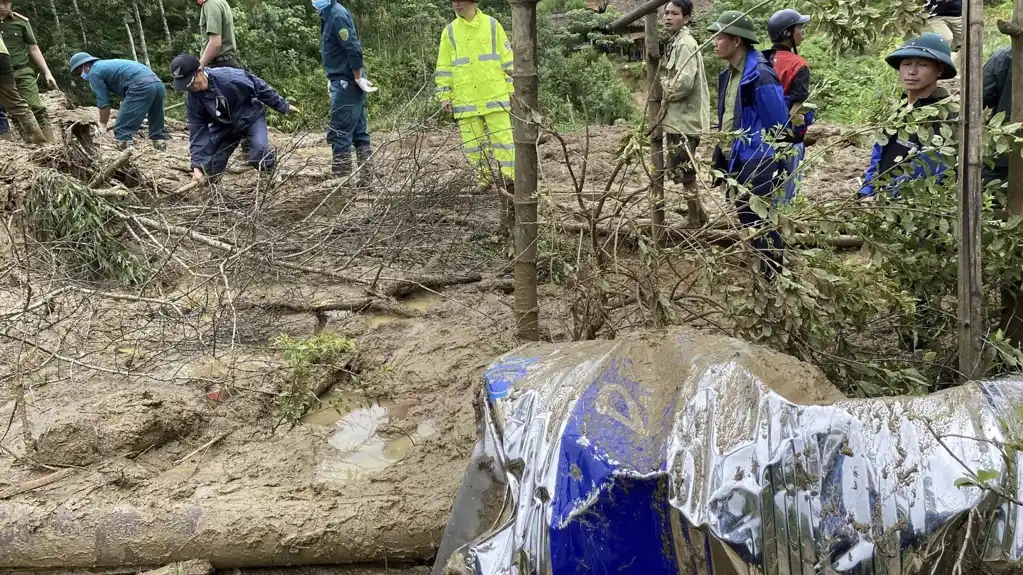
(236, 534)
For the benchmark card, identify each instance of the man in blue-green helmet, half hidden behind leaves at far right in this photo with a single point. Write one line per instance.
(921, 63)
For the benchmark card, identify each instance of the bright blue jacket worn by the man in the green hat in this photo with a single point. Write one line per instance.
(761, 110)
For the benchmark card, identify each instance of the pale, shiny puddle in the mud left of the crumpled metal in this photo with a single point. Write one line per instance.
(359, 449)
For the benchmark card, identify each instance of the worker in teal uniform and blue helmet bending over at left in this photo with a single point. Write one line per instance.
(142, 93)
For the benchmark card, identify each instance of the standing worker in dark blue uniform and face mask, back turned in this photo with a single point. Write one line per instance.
(341, 53)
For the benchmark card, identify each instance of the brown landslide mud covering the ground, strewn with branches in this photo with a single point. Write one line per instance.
(165, 403)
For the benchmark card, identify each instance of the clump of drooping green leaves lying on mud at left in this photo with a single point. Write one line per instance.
(82, 232)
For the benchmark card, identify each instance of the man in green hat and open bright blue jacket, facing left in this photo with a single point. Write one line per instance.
(750, 101)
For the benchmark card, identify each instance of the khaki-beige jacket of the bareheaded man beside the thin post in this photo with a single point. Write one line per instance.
(686, 94)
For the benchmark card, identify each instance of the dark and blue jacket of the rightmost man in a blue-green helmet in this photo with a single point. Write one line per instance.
(892, 165)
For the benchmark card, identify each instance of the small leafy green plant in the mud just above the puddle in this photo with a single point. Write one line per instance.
(309, 362)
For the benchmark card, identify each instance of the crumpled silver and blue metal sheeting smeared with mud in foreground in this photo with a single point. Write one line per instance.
(694, 454)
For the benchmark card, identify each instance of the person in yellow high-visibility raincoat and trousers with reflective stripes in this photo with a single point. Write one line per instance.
(474, 83)
